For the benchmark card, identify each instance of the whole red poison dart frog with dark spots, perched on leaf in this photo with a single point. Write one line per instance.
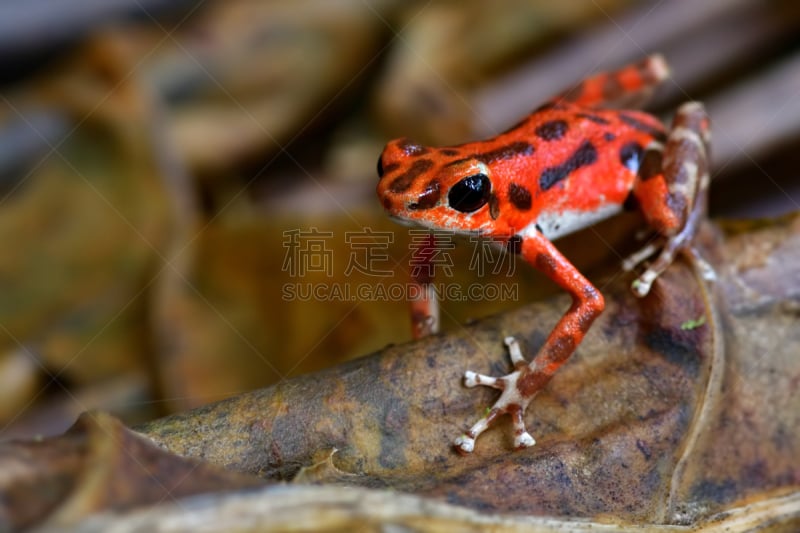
(575, 160)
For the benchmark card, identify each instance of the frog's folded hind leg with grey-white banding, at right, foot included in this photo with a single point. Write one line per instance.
(671, 190)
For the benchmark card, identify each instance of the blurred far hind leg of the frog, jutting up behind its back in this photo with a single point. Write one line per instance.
(627, 88)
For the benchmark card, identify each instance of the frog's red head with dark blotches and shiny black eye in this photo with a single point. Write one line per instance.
(438, 188)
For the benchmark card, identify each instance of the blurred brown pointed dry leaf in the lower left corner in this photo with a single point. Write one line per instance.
(98, 464)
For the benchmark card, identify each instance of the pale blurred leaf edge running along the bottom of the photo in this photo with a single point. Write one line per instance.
(331, 508)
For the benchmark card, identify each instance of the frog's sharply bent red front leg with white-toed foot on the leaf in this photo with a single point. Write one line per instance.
(520, 386)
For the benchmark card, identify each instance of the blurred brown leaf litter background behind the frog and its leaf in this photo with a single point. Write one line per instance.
(178, 178)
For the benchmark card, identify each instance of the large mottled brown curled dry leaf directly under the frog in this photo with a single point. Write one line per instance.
(626, 431)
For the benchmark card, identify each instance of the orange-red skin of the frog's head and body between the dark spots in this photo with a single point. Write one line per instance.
(605, 181)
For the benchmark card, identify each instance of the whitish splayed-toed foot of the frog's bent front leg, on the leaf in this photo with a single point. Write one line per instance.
(511, 401)
